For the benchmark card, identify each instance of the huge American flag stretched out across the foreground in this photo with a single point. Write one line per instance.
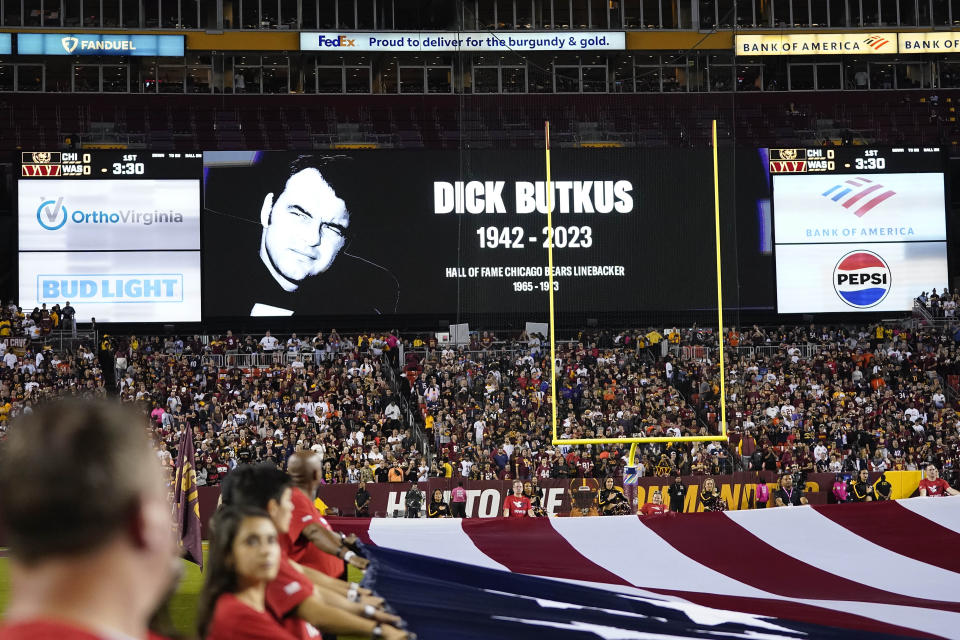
(855, 570)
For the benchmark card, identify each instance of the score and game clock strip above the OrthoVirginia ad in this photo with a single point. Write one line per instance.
(109, 164)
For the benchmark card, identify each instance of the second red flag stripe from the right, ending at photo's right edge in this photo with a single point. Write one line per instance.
(766, 567)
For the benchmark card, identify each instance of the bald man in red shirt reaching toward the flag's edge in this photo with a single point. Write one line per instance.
(313, 543)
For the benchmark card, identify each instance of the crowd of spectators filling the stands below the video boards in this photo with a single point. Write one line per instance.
(799, 399)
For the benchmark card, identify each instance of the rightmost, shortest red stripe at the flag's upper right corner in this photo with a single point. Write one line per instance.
(884, 524)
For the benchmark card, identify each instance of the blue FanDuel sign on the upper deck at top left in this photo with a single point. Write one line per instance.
(97, 44)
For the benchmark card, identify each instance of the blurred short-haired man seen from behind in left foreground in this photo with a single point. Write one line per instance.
(88, 523)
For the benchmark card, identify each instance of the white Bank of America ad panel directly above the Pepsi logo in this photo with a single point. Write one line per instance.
(893, 207)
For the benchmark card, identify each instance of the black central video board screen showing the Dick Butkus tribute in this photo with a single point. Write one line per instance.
(421, 232)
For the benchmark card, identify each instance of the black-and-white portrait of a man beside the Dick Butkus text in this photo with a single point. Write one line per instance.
(303, 264)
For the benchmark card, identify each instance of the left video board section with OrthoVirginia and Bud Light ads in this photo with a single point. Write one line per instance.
(116, 233)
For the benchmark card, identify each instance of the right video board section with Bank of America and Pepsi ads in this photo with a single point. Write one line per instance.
(857, 229)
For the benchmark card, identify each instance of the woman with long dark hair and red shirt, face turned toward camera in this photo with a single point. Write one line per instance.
(244, 558)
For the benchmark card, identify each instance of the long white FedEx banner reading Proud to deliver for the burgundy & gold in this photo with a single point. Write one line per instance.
(507, 41)
